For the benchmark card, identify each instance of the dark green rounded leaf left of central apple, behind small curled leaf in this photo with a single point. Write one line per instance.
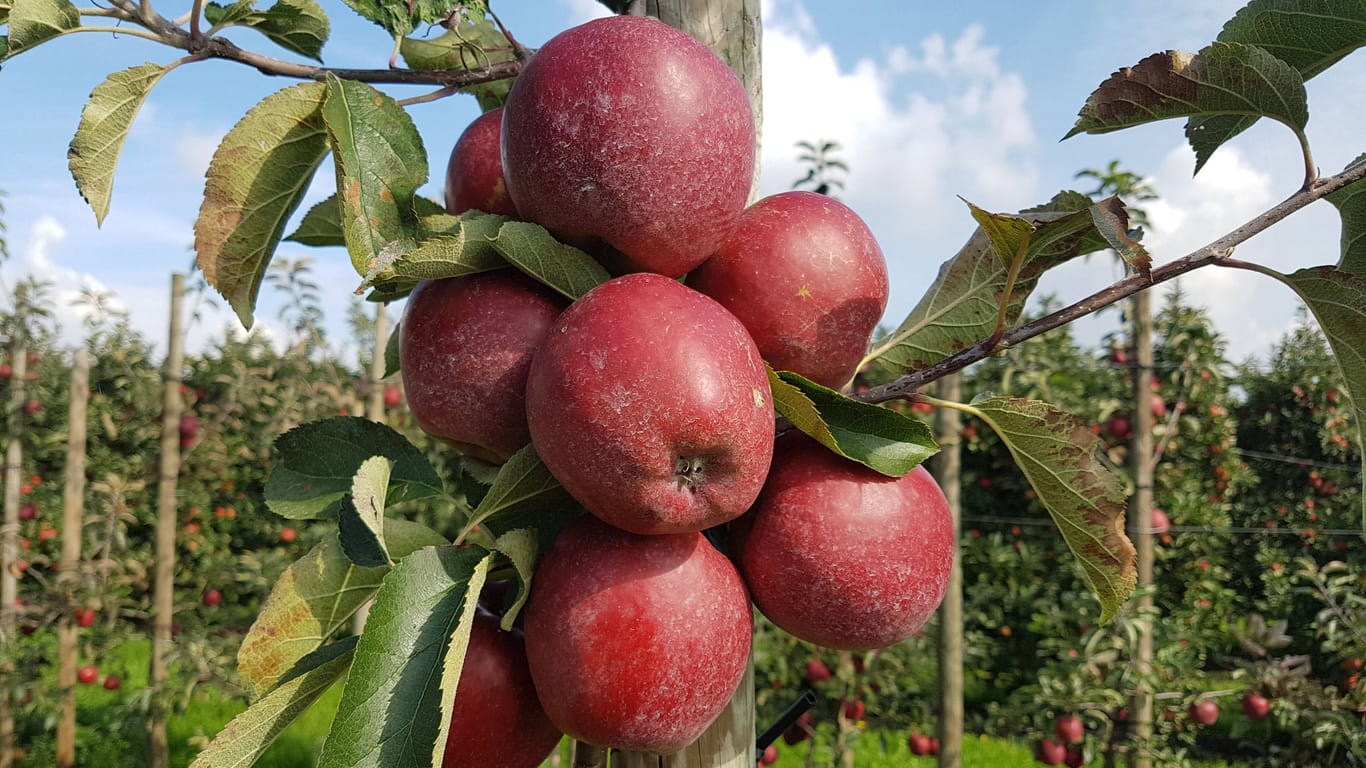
(316, 465)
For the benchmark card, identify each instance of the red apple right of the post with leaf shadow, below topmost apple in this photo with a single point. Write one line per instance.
(807, 278)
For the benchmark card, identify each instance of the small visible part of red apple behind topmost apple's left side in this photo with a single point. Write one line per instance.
(475, 174)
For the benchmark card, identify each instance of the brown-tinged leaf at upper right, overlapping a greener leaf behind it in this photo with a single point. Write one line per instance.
(1225, 79)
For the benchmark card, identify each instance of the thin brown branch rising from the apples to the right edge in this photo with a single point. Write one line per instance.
(1212, 253)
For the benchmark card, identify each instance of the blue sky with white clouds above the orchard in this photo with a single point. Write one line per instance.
(930, 100)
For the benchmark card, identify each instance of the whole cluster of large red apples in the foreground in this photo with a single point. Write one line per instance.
(650, 402)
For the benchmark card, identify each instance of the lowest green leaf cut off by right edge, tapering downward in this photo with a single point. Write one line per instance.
(1338, 301)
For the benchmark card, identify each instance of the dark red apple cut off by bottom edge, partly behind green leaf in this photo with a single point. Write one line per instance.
(498, 719)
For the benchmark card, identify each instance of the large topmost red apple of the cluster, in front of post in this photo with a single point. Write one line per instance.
(630, 132)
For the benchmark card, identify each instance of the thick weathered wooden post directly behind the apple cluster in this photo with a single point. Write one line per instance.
(734, 31)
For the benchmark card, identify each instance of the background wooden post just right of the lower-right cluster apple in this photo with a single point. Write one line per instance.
(949, 472)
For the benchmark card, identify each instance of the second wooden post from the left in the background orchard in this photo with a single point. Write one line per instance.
(73, 527)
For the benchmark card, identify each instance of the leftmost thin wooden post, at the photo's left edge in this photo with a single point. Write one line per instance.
(10, 540)
